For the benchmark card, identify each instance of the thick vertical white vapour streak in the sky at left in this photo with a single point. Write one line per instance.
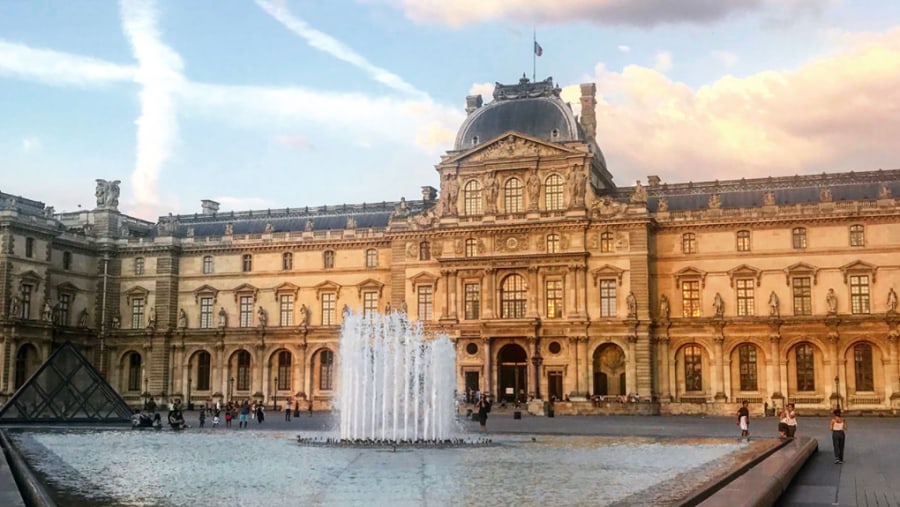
(160, 75)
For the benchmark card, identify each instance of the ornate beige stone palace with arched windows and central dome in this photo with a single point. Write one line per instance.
(552, 280)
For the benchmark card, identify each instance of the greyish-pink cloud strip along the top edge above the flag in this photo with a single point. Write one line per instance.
(643, 13)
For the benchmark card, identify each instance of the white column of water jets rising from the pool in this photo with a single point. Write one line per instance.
(395, 385)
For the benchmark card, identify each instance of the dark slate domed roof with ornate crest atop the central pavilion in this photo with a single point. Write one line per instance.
(534, 109)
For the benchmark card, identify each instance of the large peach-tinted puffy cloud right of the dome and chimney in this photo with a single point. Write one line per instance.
(798, 121)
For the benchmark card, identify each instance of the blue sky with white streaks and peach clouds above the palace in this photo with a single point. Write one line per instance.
(263, 104)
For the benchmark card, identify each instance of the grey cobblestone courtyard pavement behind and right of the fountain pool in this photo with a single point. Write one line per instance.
(870, 475)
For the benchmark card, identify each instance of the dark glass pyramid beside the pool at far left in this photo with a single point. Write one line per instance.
(66, 389)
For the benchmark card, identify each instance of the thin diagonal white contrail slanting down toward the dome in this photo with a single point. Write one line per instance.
(335, 48)
